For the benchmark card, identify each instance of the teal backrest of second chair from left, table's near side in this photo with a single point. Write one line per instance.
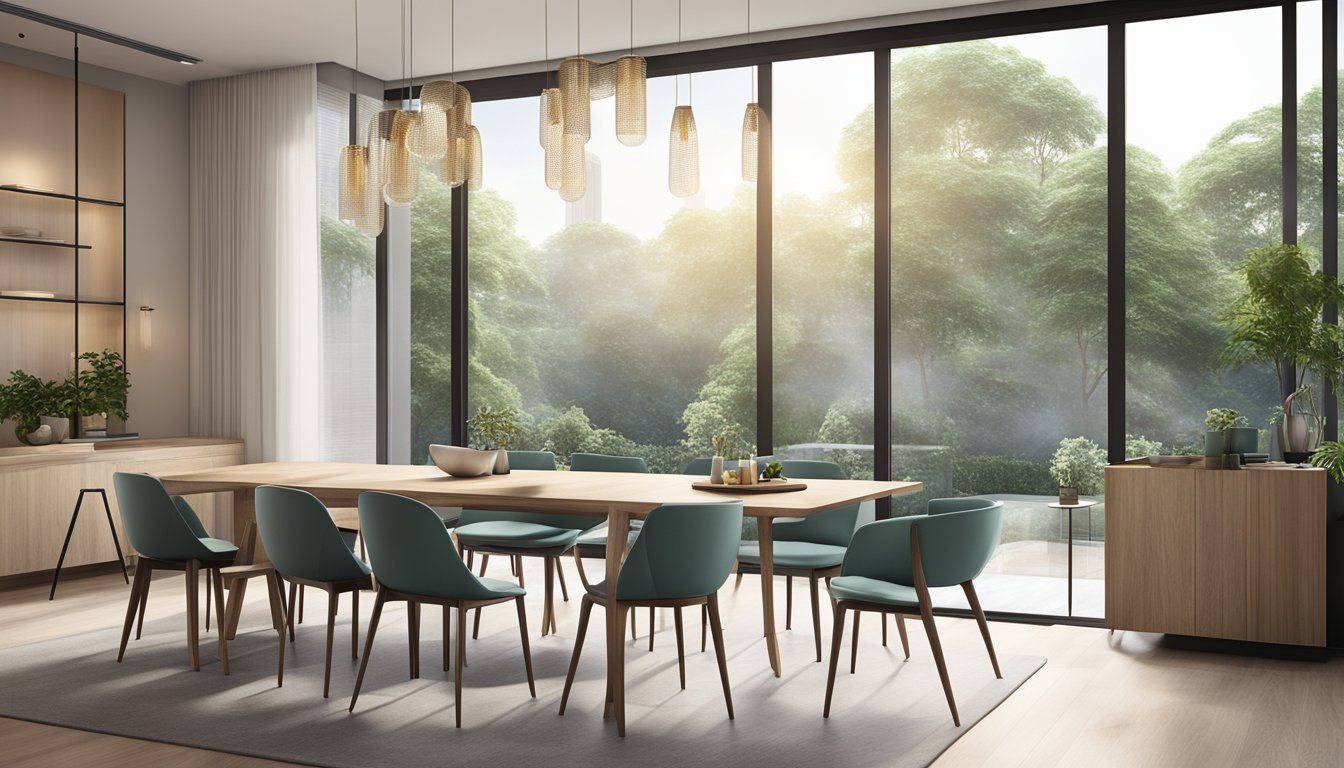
(302, 539)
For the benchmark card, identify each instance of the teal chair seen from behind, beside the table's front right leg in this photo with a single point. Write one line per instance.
(682, 558)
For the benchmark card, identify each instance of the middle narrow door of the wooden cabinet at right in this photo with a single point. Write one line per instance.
(1221, 520)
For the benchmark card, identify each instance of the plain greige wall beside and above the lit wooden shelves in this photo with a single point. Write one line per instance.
(157, 237)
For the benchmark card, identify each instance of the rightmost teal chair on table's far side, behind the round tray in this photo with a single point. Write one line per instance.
(811, 547)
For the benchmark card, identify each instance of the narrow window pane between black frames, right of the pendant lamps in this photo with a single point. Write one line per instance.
(823, 132)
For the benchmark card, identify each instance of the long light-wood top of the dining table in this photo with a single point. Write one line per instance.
(571, 493)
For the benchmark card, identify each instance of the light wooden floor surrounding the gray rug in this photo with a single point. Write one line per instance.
(1101, 700)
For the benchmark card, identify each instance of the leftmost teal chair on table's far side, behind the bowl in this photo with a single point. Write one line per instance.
(523, 535)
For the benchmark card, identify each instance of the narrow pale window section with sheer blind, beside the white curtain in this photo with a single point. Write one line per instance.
(349, 407)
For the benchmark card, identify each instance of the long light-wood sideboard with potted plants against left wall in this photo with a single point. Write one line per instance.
(40, 488)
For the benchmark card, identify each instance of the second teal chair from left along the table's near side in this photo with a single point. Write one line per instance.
(307, 549)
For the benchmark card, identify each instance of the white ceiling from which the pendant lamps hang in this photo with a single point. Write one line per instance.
(248, 36)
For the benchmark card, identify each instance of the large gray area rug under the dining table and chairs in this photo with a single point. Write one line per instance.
(890, 714)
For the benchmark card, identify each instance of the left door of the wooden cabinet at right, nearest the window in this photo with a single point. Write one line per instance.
(1151, 549)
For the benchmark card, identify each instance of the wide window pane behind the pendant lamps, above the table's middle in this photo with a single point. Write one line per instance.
(623, 323)
